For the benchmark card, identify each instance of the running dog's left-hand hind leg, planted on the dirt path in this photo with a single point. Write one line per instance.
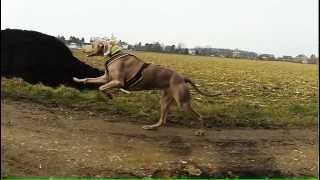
(165, 102)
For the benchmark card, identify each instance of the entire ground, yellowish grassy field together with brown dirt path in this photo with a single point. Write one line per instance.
(264, 125)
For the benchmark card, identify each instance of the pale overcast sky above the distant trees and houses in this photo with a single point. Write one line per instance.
(280, 27)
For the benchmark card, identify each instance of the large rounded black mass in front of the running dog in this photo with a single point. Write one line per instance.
(38, 57)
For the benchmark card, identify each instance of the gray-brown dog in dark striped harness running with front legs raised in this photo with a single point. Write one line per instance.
(126, 71)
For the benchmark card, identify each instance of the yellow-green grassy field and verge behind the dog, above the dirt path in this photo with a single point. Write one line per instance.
(257, 94)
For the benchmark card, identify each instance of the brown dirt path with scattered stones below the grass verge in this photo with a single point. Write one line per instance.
(50, 141)
